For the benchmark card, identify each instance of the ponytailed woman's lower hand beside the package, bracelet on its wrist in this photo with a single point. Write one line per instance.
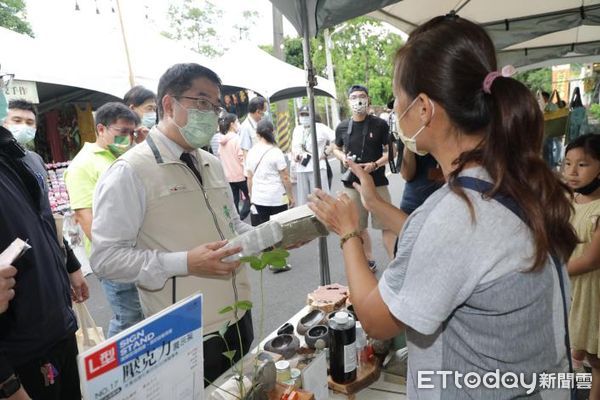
(339, 215)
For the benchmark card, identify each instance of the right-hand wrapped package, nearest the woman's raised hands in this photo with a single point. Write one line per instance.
(299, 225)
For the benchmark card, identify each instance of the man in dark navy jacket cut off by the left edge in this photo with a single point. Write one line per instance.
(38, 350)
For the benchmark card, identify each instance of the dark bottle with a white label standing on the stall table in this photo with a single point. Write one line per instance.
(342, 348)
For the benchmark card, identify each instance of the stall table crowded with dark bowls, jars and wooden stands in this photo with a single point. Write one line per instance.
(310, 372)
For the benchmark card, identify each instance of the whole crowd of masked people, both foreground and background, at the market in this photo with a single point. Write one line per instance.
(481, 247)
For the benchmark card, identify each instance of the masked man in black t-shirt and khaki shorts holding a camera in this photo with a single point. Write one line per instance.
(365, 137)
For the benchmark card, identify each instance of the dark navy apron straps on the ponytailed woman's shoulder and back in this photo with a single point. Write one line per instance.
(483, 187)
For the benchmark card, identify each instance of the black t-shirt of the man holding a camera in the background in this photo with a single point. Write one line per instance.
(374, 141)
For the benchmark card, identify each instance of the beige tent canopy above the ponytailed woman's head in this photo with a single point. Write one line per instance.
(524, 32)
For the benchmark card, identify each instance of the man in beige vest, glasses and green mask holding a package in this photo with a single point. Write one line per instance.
(164, 211)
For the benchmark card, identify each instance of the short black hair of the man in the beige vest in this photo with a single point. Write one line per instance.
(178, 79)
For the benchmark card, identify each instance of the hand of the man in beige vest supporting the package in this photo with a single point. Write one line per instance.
(206, 259)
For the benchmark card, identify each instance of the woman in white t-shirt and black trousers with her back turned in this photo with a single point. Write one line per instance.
(268, 177)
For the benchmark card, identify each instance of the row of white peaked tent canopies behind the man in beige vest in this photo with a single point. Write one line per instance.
(96, 61)
